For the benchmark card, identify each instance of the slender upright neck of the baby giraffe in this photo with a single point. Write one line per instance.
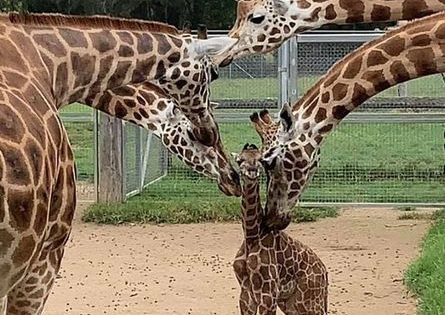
(252, 212)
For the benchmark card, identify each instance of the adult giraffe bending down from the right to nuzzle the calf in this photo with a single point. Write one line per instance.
(406, 53)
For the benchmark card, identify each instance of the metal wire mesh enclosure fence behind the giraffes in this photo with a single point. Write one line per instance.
(390, 151)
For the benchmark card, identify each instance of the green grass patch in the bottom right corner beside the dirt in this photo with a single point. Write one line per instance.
(426, 276)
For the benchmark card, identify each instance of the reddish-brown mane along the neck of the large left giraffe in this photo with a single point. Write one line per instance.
(95, 21)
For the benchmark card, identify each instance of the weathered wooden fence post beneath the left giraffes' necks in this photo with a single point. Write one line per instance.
(111, 168)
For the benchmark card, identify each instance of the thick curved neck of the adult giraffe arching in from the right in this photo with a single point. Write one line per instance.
(410, 52)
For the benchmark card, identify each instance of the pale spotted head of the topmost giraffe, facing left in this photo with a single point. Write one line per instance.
(263, 25)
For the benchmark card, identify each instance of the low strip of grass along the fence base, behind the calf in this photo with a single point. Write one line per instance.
(171, 211)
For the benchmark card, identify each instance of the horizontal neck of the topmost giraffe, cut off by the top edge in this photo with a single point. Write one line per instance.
(318, 13)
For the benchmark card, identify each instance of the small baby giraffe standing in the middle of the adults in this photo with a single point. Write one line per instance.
(272, 269)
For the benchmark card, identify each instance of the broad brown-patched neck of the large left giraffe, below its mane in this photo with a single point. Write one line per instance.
(83, 64)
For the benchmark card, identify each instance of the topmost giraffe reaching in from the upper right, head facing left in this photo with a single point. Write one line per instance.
(263, 25)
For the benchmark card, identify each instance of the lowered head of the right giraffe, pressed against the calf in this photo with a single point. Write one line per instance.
(290, 158)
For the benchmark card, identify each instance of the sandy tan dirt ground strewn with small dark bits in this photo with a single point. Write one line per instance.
(186, 269)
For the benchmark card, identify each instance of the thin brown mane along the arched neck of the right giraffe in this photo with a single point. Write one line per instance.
(339, 65)
